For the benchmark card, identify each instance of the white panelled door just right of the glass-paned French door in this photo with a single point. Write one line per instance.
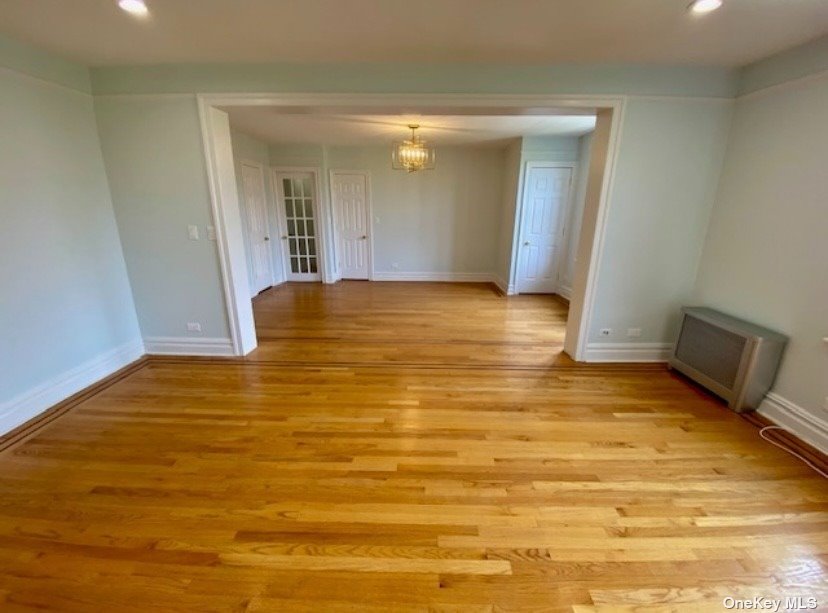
(350, 204)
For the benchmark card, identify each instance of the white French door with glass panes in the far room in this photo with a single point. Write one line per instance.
(298, 216)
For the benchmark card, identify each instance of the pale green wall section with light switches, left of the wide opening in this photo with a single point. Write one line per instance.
(156, 169)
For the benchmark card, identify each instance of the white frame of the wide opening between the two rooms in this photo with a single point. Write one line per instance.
(215, 133)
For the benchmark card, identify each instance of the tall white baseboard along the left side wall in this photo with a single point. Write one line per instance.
(31, 403)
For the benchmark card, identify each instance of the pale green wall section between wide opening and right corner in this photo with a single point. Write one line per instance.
(663, 188)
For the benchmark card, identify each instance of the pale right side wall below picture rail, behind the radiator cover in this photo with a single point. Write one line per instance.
(765, 258)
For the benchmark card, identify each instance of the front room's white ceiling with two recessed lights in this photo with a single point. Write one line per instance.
(96, 32)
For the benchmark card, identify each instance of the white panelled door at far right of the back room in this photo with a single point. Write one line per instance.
(545, 194)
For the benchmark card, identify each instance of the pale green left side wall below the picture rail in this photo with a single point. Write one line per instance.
(64, 295)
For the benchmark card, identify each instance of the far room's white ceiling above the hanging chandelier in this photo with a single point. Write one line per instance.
(274, 126)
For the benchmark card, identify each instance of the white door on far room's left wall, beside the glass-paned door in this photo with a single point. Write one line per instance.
(258, 233)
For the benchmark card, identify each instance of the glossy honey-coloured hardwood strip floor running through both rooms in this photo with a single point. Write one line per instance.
(404, 447)
